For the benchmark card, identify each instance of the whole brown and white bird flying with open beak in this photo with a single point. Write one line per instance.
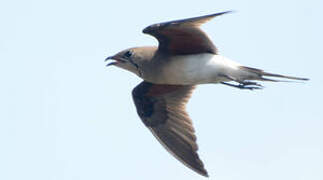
(184, 58)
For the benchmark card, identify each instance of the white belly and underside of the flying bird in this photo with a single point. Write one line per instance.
(200, 69)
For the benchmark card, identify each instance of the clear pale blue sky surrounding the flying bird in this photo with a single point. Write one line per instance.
(65, 116)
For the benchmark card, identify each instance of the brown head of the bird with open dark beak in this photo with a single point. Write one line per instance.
(132, 59)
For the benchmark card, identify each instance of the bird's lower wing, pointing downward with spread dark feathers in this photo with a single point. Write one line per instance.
(162, 109)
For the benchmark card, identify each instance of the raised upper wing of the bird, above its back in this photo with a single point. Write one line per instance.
(184, 36)
